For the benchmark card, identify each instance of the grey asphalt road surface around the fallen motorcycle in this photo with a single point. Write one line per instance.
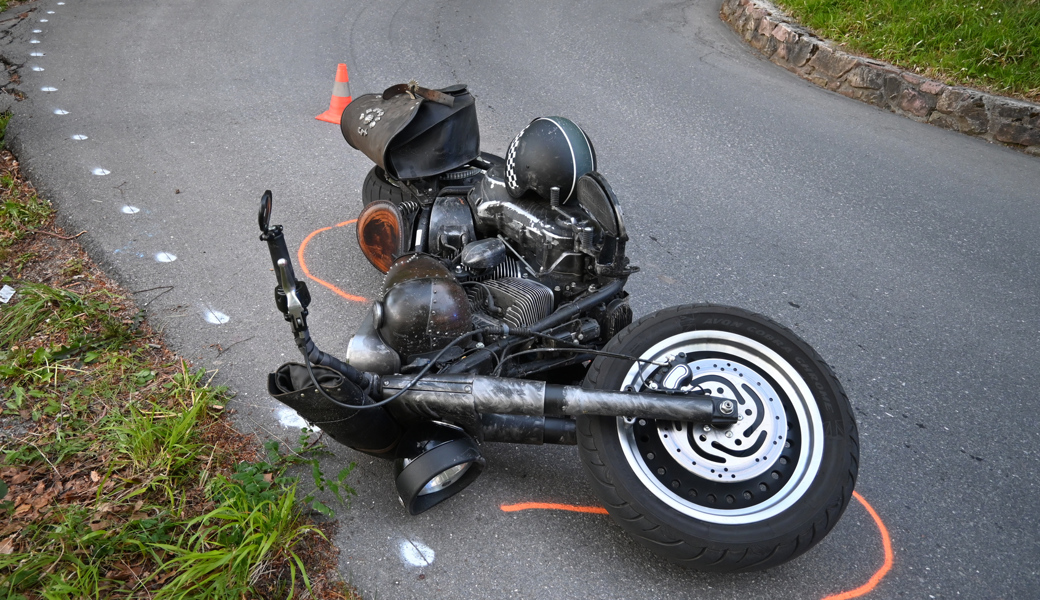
(907, 255)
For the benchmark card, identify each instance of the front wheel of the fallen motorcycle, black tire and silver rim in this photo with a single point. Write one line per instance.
(657, 479)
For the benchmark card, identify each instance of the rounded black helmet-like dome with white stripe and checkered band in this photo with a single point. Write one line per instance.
(551, 152)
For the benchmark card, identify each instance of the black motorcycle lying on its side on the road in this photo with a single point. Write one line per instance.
(714, 436)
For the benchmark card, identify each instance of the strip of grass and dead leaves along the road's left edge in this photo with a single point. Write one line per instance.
(121, 476)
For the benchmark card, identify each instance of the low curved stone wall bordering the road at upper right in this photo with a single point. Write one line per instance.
(788, 44)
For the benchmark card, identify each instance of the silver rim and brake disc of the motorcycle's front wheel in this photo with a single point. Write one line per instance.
(766, 372)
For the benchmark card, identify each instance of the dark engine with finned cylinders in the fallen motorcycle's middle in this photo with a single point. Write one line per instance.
(491, 260)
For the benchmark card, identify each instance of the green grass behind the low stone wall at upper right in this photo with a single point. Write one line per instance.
(990, 44)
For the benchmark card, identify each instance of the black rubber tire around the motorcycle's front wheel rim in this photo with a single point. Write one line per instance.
(690, 542)
